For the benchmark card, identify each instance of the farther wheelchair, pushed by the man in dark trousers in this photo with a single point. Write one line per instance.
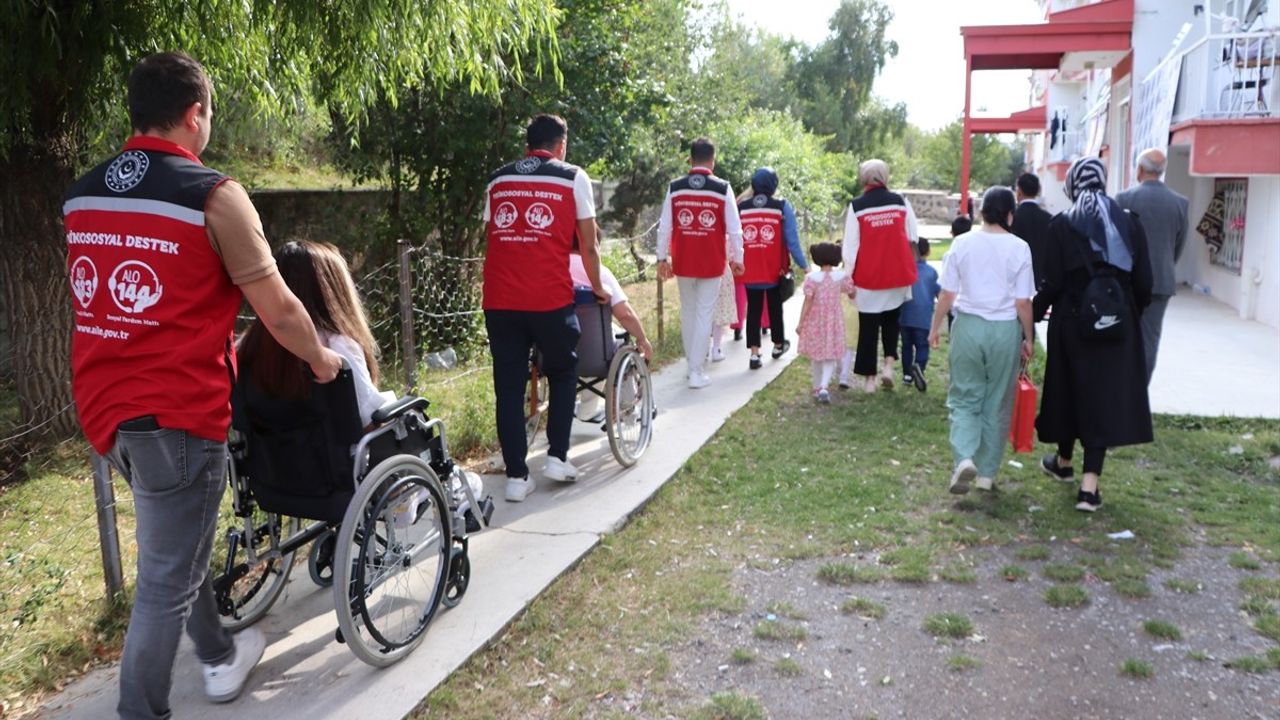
(610, 367)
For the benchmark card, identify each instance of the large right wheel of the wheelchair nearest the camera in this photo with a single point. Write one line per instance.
(392, 560)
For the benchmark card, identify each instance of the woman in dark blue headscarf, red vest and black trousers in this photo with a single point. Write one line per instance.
(771, 240)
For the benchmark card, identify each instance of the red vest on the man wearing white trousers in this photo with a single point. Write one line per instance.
(698, 229)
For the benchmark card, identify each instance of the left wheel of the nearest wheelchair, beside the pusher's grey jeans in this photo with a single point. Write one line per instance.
(248, 571)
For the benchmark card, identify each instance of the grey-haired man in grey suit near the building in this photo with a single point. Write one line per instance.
(1164, 216)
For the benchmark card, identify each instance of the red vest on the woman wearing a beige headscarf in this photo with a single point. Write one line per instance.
(885, 257)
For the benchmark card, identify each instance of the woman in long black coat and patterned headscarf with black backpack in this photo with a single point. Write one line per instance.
(1095, 389)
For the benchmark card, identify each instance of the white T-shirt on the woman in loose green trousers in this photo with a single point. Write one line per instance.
(989, 272)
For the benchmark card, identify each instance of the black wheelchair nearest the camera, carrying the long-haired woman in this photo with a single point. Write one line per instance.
(387, 522)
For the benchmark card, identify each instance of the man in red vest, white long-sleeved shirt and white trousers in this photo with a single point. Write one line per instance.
(700, 231)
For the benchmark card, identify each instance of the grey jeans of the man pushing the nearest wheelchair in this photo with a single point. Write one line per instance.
(179, 482)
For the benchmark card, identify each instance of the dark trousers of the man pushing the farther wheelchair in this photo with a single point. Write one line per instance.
(513, 335)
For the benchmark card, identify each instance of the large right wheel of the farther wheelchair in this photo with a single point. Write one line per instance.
(629, 405)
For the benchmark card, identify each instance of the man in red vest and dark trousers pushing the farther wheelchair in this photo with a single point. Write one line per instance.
(533, 209)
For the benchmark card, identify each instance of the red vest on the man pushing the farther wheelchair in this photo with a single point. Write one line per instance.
(533, 217)
